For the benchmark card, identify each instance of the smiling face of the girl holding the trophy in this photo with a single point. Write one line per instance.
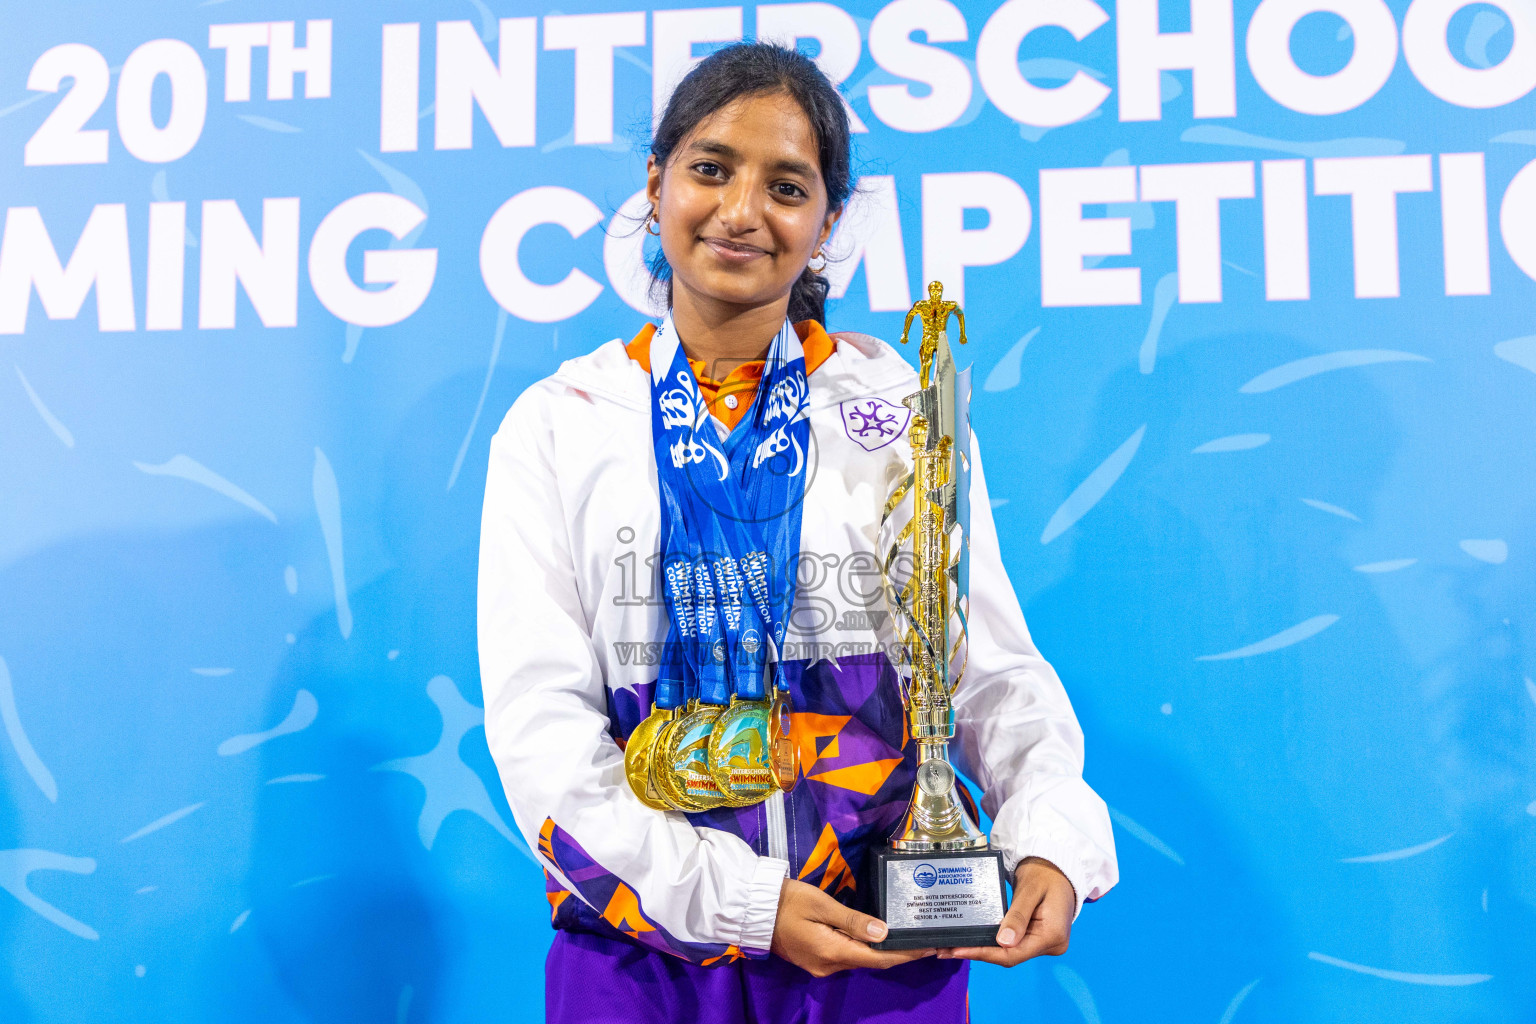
(741, 203)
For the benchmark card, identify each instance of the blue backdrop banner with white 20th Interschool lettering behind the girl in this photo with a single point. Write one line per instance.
(1250, 291)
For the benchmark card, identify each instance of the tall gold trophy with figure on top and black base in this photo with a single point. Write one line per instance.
(938, 884)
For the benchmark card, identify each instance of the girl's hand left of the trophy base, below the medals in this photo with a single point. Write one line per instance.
(821, 936)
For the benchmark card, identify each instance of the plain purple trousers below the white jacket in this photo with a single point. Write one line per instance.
(595, 980)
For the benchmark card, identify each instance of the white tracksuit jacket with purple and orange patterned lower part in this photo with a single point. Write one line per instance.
(571, 627)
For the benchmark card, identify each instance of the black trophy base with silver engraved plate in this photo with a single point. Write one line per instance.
(939, 900)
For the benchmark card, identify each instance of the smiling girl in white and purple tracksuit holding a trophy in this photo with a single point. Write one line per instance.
(747, 914)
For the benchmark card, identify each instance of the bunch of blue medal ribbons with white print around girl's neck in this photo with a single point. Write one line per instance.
(730, 523)
